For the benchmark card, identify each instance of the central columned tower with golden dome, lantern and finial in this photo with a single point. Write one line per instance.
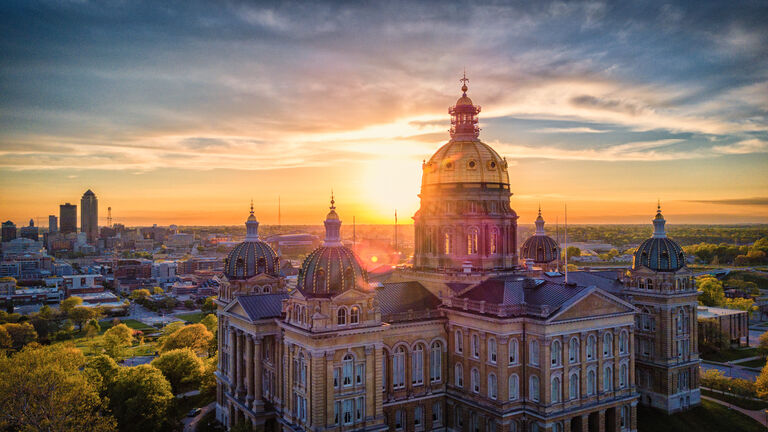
(465, 219)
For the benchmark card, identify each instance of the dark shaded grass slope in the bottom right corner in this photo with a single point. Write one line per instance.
(709, 417)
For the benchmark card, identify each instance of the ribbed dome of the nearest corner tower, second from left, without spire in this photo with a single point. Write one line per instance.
(329, 270)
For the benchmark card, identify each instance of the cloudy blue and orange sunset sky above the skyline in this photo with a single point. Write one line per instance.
(181, 112)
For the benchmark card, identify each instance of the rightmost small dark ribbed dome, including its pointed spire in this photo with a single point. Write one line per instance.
(659, 253)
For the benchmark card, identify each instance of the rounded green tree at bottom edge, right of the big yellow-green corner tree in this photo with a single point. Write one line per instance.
(141, 399)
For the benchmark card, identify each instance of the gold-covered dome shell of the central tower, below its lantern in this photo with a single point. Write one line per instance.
(465, 161)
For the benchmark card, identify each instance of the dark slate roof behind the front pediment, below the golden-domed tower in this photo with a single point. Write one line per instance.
(505, 291)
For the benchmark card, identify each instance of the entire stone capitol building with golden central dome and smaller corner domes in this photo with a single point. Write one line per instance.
(472, 337)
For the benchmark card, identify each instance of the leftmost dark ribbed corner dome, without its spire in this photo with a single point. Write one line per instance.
(250, 258)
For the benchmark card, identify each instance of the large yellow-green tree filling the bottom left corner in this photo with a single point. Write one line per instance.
(46, 389)
